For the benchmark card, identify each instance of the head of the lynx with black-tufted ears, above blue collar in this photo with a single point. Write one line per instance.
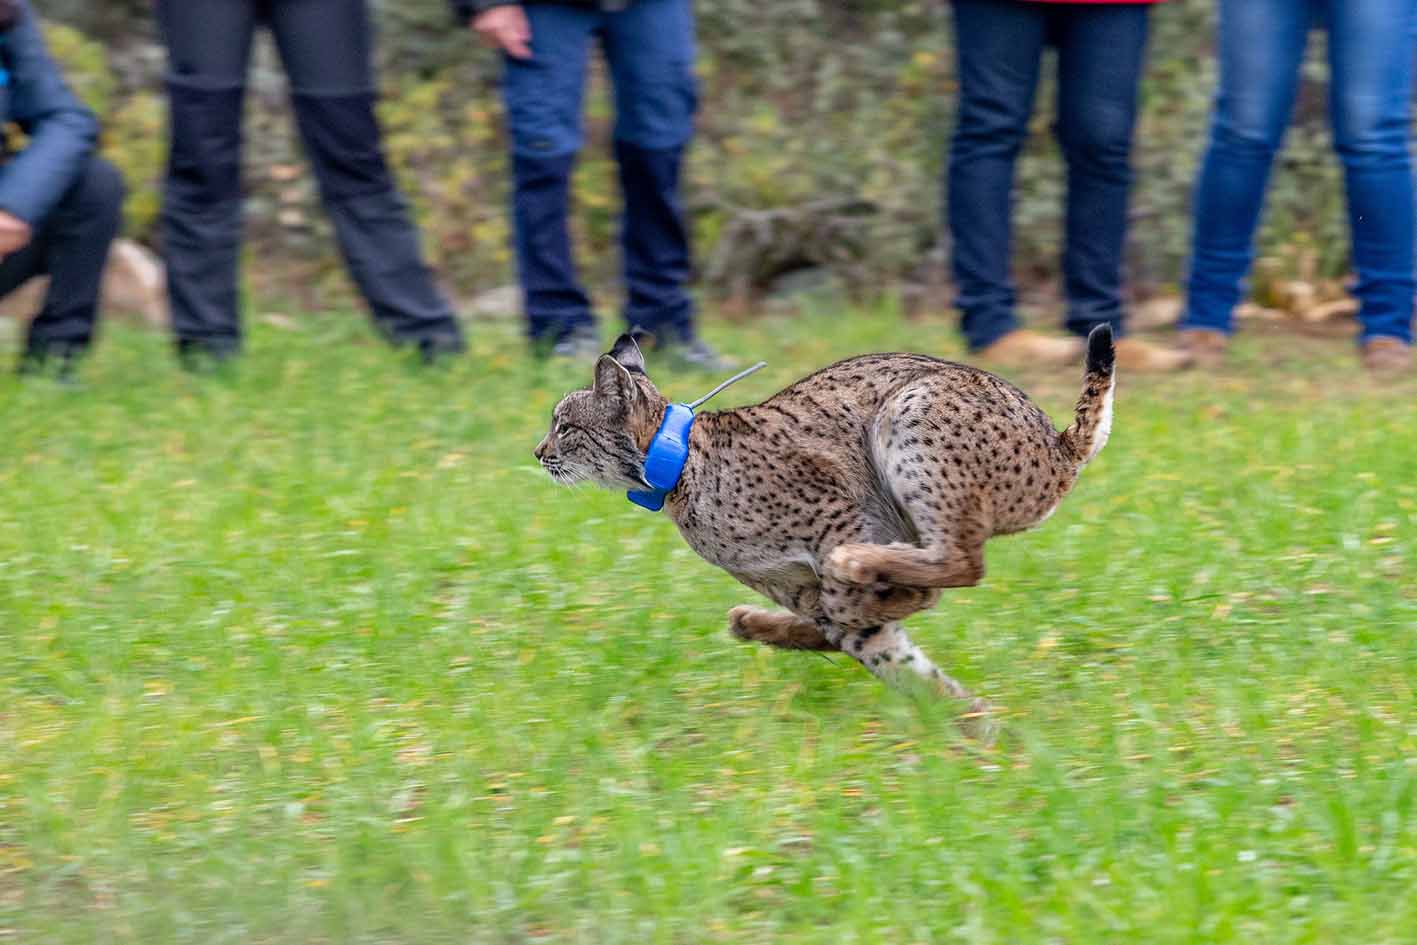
(602, 434)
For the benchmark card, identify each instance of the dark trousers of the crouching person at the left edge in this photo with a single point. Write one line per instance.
(70, 247)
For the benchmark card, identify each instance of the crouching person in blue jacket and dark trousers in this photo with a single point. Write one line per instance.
(60, 205)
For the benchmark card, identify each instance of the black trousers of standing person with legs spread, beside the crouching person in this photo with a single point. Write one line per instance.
(325, 47)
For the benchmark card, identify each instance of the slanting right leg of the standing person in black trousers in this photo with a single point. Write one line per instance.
(327, 50)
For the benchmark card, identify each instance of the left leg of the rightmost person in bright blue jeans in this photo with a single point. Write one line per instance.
(1262, 45)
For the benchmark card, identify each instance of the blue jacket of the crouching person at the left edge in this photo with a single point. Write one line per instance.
(63, 134)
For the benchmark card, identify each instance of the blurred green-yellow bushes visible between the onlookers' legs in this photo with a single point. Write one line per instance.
(823, 142)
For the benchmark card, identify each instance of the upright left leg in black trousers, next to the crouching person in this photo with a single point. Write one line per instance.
(209, 43)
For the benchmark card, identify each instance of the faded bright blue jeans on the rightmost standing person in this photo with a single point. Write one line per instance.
(1371, 57)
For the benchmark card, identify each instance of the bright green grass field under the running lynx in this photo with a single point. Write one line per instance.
(311, 652)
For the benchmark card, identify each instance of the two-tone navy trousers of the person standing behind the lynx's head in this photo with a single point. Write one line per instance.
(650, 47)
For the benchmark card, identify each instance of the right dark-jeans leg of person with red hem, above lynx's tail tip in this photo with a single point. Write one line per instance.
(1102, 50)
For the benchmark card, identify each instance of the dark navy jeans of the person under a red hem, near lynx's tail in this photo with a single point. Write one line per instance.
(1001, 43)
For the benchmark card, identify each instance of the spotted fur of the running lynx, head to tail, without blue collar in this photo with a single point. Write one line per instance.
(851, 499)
